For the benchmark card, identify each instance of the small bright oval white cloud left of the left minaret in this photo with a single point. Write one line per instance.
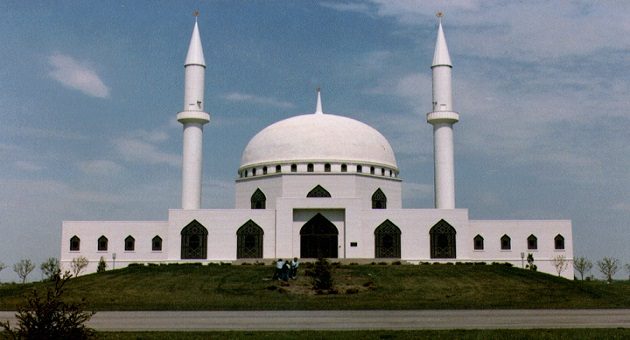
(77, 75)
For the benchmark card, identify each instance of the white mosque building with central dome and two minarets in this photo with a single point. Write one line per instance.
(318, 185)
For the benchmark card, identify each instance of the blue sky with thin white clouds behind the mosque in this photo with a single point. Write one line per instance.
(89, 91)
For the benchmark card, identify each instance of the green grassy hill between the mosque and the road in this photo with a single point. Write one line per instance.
(249, 287)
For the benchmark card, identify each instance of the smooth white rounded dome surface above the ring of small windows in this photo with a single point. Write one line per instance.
(318, 137)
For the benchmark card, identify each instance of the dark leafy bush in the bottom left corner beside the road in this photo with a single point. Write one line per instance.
(49, 317)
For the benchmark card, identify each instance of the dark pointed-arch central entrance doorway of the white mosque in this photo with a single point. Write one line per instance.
(319, 238)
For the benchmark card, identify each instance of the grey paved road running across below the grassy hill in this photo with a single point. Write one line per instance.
(350, 320)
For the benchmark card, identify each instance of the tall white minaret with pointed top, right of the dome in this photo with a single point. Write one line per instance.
(442, 118)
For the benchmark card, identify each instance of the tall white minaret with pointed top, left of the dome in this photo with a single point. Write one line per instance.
(193, 118)
